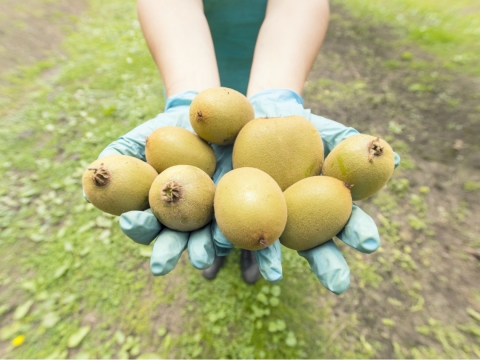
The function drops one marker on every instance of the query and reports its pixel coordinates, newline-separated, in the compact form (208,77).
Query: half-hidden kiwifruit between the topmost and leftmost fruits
(172,145)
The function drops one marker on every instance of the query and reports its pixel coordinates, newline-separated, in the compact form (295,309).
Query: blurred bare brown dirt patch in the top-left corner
(32,30)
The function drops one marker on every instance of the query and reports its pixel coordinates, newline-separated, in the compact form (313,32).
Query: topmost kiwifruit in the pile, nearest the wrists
(218,114)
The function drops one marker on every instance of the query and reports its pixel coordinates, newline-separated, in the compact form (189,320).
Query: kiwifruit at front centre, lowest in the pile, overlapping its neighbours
(250,208)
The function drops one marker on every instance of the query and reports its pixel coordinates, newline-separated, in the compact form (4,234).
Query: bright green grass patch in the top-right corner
(447,29)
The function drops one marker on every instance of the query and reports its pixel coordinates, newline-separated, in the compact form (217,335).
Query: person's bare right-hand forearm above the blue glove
(288,43)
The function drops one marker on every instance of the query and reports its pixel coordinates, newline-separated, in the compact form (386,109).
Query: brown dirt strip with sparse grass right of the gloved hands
(428,221)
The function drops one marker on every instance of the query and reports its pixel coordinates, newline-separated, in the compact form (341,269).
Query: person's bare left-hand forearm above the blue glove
(179,40)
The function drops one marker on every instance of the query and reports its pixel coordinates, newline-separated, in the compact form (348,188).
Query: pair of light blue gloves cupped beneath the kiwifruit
(325,260)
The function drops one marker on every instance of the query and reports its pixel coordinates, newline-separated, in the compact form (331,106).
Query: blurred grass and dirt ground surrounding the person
(76,75)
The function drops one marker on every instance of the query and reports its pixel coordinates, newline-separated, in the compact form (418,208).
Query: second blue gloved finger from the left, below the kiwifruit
(167,249)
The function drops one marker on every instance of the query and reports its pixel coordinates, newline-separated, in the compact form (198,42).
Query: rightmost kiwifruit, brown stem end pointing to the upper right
(363,161)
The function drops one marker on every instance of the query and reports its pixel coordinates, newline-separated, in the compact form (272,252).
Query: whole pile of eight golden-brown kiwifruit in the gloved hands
(281,187)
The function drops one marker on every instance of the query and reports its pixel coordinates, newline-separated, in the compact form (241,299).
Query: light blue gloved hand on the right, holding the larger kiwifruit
(360,232)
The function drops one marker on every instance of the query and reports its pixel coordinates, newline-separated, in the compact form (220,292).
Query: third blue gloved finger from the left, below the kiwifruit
(200,248)
